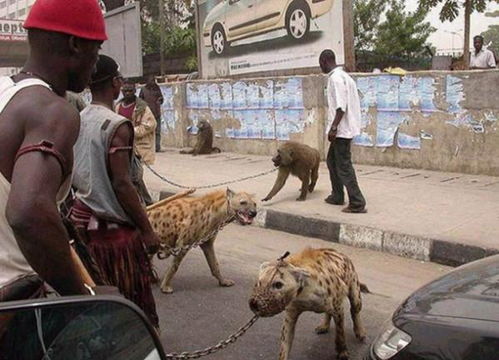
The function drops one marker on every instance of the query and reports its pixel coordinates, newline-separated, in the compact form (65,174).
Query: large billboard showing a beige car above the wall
(248,36)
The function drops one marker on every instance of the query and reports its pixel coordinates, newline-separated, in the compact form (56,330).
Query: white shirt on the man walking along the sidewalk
(342,94)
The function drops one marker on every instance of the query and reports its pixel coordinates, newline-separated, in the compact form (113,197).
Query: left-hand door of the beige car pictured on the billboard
(241,17)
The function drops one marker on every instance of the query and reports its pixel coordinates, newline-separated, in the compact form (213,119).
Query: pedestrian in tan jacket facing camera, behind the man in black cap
(144,123)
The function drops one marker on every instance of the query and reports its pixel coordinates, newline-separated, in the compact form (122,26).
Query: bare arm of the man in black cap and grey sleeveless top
(119,166)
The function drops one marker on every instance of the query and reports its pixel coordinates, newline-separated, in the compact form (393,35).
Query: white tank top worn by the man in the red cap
(13,264)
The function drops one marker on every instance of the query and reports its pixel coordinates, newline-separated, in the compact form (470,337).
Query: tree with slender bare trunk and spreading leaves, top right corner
(450,11)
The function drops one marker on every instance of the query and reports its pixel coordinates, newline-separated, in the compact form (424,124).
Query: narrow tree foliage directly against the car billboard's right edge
(367,14)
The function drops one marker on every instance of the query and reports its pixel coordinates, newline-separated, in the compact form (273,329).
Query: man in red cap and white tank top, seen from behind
(38,129)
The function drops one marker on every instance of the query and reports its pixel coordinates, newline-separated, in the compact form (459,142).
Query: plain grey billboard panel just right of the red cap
(124,42)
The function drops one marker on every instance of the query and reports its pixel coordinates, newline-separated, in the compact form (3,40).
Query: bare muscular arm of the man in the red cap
(31,209)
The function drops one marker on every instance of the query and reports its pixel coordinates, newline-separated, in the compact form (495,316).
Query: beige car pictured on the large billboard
(233,20)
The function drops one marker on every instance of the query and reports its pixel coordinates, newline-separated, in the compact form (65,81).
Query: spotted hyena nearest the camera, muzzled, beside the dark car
(315,280)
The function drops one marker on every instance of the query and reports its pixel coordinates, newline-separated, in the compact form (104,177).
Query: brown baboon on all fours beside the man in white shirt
(301,161)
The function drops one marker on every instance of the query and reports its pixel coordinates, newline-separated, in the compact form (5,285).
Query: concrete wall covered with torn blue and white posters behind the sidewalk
(433,120)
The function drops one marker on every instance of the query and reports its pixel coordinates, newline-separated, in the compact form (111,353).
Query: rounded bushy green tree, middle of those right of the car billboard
(403,33)
